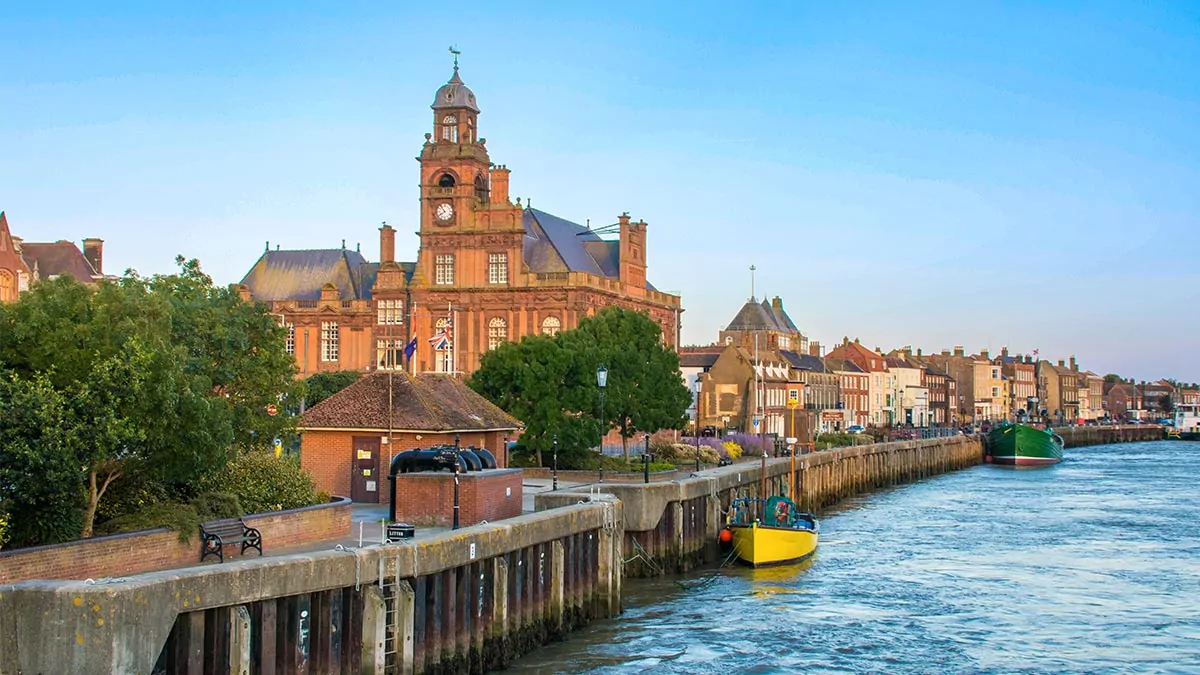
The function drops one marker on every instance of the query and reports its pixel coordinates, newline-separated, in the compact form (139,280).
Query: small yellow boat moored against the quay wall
(770,531)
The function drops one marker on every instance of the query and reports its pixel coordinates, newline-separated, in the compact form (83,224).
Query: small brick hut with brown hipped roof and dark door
(350,440)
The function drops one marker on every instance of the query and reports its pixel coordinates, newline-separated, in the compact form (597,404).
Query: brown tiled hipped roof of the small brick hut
(424,403)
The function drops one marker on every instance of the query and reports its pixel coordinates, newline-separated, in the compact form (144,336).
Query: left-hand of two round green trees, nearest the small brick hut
(537,383)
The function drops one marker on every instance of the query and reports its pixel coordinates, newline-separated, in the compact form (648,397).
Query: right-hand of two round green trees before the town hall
(645,392)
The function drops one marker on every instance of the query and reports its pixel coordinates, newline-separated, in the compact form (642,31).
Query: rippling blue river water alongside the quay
(1090,566)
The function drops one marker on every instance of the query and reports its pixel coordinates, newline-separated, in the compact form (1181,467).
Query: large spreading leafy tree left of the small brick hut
(163,378)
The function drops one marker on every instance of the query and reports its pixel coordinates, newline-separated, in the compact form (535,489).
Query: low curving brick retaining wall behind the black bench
(151,551)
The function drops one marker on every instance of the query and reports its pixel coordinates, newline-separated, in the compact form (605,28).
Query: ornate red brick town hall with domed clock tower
(495,270)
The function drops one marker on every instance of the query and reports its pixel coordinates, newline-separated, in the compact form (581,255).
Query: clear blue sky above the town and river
(928,175)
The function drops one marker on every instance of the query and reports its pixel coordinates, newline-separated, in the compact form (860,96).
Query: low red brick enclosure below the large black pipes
(428,498)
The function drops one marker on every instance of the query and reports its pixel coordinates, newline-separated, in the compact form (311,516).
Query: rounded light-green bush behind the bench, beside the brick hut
(263,482)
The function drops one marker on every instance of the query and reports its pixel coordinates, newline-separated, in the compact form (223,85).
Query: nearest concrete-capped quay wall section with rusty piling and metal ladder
(466,601)
